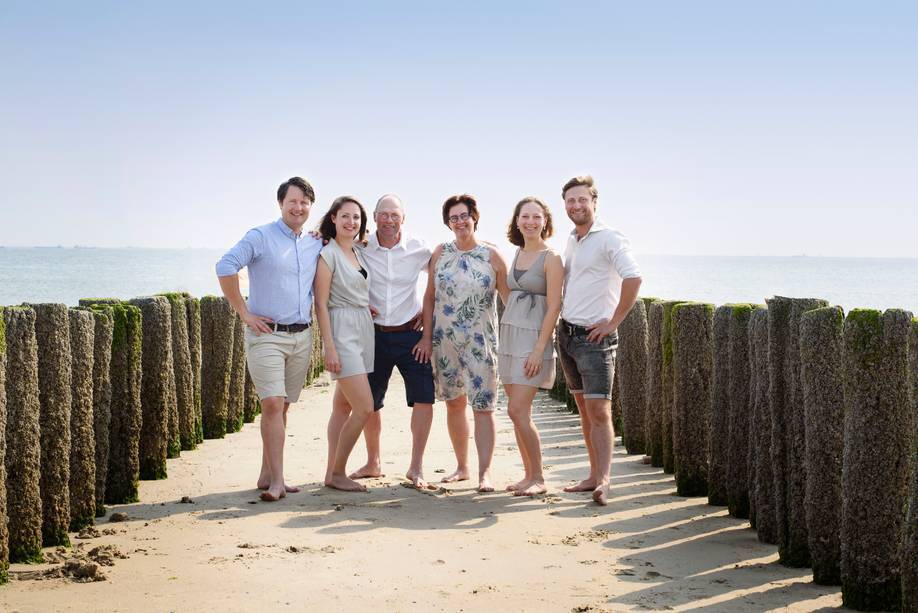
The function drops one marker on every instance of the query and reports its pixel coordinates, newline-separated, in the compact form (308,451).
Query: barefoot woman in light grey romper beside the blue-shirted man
(342,294)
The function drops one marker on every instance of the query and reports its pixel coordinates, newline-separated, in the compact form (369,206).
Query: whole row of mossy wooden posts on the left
(95,398)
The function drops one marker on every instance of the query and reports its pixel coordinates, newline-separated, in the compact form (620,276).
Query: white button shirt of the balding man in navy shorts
(394,276)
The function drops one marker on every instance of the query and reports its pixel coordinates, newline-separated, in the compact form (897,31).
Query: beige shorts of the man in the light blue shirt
(278,362)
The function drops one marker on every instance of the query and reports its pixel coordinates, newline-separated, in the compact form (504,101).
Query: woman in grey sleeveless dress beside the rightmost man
(525,355)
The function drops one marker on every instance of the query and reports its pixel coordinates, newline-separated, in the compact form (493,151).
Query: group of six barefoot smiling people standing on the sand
(446,345)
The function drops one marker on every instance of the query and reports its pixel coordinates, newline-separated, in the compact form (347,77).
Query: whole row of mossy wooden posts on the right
(793,416)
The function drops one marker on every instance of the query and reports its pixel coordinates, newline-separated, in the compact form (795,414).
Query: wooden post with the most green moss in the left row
(126,412)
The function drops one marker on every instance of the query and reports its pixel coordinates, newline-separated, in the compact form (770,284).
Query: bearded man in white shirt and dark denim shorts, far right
(601,282)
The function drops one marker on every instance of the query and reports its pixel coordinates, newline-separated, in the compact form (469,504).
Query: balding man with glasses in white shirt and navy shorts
(395,261)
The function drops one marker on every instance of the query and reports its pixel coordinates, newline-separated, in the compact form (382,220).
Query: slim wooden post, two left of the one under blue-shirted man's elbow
(182,373)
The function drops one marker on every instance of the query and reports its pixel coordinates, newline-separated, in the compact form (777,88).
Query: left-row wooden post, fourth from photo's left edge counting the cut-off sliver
(82,433)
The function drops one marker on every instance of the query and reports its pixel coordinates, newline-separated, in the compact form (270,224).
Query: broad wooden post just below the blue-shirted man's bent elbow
(217,325)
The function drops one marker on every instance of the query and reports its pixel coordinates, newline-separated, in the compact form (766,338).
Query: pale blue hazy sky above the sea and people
(716,128)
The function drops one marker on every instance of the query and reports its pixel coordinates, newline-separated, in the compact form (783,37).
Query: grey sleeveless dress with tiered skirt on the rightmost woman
(521,323)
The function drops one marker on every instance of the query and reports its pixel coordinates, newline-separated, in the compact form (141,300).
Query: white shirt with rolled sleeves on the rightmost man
(594,267)
